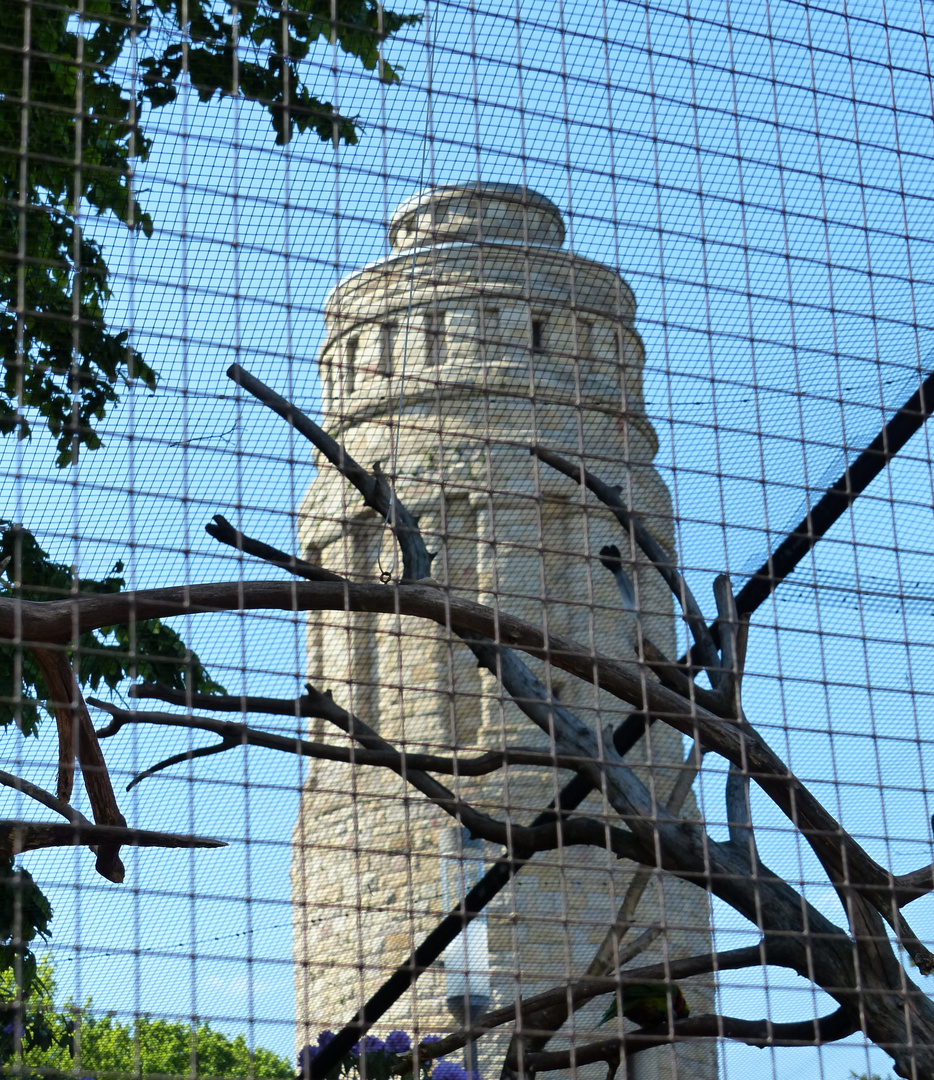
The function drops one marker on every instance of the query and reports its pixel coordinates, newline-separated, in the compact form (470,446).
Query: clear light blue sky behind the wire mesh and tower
(761,177)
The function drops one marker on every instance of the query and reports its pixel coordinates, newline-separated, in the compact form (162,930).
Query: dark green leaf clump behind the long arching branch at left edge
(150,650)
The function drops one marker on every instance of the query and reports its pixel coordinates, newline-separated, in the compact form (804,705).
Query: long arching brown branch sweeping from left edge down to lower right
(60,619)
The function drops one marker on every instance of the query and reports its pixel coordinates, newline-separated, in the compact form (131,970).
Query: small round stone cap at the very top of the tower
(465,213)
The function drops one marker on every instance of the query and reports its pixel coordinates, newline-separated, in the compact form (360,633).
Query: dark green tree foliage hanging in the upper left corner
(70,134)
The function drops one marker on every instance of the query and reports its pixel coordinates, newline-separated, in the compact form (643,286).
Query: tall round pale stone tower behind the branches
(477,337)
